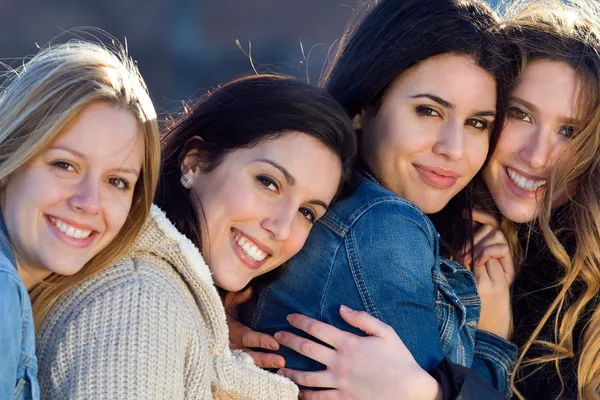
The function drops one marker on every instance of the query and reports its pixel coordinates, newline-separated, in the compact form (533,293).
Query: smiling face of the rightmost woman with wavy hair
(539,124)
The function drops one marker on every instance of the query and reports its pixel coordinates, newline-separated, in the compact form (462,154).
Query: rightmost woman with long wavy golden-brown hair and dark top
(546,168)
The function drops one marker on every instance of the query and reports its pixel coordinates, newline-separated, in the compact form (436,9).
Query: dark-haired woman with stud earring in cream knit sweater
(246,174)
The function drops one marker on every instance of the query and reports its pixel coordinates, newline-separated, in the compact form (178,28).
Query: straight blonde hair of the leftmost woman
(41,98)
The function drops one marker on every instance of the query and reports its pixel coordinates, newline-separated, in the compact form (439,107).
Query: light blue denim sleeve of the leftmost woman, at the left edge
(10,333)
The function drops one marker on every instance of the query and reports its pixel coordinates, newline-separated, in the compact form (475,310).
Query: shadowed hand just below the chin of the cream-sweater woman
(241,337)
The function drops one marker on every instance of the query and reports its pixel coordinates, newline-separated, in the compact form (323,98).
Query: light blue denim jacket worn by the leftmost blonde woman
(18,363)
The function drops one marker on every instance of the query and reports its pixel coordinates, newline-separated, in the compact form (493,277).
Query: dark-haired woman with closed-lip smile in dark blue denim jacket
(427,86)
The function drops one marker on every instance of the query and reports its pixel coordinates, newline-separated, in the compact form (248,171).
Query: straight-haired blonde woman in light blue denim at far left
(79,161)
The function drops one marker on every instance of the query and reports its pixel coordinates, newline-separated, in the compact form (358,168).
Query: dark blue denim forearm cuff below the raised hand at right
(494,360)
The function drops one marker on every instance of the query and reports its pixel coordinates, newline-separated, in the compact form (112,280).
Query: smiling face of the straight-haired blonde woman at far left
(70,202)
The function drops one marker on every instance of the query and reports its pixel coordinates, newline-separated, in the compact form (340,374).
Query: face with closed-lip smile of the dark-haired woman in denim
(431,134)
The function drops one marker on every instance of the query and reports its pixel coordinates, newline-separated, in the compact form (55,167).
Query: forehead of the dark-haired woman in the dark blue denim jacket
(455,78)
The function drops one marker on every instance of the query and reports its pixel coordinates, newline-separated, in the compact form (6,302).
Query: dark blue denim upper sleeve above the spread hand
(390,253)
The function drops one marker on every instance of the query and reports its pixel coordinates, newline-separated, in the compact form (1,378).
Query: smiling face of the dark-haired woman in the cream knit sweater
(260,203)
